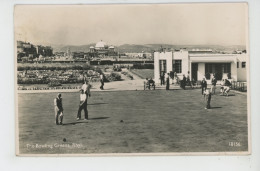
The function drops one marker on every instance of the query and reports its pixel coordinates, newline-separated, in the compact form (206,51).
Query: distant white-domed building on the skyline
(101,49)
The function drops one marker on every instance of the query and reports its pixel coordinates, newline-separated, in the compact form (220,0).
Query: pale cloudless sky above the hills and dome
(177,24)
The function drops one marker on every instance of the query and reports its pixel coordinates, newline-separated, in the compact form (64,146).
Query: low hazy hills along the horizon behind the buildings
(137,48)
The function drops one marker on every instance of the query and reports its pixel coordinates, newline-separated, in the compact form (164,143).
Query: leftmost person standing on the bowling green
(58,109)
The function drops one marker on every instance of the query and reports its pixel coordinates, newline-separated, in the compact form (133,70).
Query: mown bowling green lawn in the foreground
(149,121)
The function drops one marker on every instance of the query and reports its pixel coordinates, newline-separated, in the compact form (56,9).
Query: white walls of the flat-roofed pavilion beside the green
(237,74)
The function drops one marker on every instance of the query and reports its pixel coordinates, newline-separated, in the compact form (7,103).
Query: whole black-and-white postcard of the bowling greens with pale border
(132,79)
